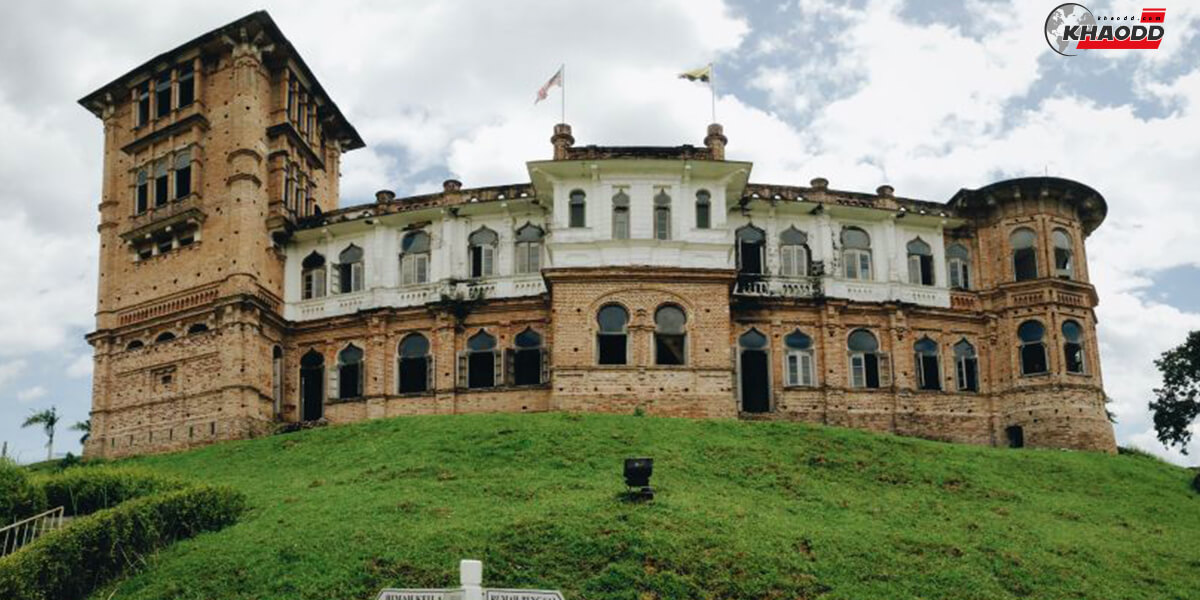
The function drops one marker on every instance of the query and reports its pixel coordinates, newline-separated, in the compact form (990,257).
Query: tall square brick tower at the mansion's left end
(214,153)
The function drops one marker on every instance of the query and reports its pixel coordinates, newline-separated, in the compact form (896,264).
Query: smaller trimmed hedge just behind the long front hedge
(86,490)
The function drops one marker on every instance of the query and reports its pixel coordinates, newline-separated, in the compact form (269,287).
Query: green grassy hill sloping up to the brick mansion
(745,511)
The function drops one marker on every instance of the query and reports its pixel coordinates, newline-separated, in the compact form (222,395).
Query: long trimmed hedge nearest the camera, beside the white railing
(70,563)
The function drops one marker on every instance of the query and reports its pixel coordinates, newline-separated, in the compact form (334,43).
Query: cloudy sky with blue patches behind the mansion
(926,97)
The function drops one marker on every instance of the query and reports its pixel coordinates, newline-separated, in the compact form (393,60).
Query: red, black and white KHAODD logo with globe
(1072,27)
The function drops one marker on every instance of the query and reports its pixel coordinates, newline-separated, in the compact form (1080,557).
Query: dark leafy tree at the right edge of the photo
(1179,400)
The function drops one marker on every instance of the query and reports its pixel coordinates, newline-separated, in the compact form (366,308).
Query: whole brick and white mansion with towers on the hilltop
(236,295)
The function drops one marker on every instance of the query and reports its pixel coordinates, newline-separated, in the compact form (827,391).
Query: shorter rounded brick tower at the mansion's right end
(1035,290)
